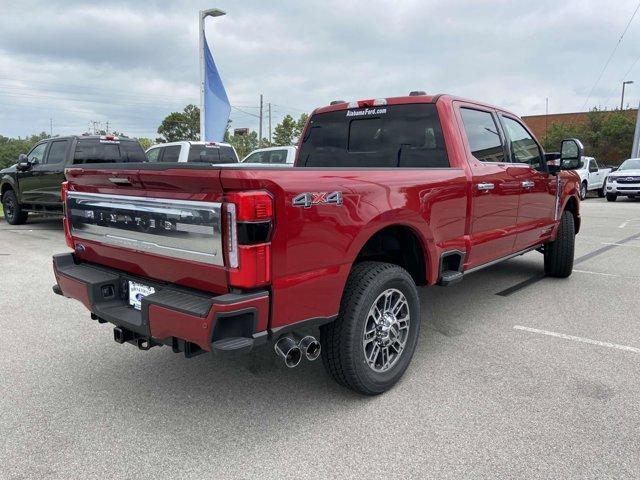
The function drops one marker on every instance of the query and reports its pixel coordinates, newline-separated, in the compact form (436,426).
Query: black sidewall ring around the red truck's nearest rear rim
(382,381)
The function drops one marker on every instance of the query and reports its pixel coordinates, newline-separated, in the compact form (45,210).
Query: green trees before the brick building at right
(607,135)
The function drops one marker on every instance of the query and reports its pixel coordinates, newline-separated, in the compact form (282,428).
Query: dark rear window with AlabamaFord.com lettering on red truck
(405,136)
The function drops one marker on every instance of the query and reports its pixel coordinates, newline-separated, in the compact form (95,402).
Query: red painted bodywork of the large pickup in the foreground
(312,249)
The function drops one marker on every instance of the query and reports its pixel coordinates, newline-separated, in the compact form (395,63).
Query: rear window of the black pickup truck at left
(92,150)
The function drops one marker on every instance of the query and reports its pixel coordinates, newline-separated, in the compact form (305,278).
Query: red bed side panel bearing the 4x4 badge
(314,248)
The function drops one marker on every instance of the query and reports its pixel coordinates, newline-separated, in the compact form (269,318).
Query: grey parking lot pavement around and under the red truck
(515,376)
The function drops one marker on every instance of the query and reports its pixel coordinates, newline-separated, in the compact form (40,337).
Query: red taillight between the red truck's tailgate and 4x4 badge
(249,221)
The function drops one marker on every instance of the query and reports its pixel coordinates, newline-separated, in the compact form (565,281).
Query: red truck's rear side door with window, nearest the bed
(495,192)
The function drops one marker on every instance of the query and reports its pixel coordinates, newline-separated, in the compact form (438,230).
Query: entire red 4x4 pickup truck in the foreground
(386,195)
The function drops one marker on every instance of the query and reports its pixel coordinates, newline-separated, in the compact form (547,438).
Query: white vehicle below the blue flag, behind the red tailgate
(187,151)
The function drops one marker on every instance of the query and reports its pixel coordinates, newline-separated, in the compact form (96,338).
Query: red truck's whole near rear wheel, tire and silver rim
(370,345)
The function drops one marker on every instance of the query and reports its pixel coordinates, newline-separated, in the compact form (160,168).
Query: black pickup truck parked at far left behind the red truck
(33,184)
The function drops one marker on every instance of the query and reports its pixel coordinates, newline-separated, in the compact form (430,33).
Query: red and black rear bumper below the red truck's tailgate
(189,320)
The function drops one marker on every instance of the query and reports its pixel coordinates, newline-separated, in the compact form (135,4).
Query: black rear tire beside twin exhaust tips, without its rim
(343,351)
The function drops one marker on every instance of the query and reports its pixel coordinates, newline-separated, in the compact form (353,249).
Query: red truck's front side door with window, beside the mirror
(538,188)
